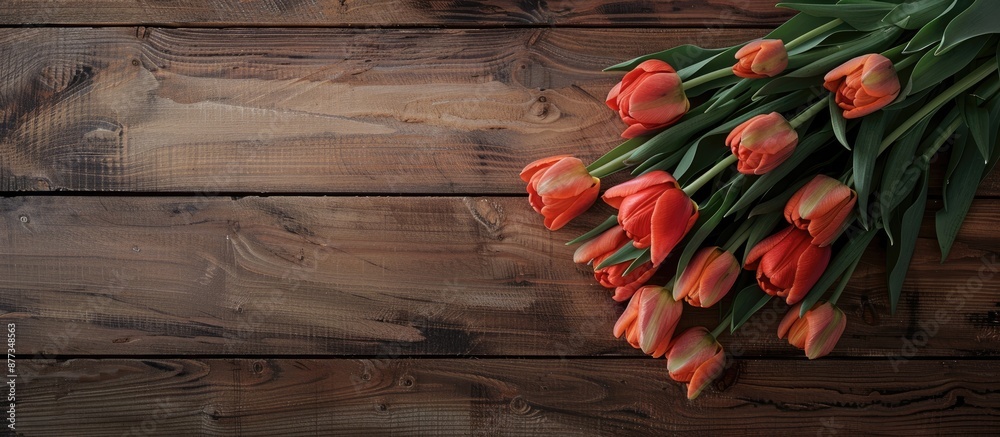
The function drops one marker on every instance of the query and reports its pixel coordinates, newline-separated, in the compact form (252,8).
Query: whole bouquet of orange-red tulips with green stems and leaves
(769,168)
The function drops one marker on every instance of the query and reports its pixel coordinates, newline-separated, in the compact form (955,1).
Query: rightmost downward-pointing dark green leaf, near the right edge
(961,190)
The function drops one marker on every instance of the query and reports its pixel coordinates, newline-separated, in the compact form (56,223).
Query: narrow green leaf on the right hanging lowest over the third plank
(898,256)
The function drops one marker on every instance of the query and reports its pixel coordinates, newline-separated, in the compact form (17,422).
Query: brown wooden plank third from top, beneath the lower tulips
(398,277)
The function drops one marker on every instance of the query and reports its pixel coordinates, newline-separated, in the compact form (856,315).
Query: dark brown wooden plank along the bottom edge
(501,397)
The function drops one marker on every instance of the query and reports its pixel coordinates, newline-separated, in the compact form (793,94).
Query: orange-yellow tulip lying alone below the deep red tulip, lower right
(816,332)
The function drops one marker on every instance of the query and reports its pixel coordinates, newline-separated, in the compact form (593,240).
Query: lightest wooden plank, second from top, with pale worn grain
(307,110)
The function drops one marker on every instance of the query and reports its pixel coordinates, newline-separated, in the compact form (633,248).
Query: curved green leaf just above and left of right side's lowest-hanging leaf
(900,174)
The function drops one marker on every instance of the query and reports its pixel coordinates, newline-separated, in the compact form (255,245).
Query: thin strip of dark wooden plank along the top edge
(714,14)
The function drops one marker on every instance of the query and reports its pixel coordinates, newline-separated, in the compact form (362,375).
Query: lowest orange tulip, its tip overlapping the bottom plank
(696,358)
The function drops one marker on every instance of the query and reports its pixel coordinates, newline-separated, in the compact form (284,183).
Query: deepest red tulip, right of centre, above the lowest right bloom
(787,264)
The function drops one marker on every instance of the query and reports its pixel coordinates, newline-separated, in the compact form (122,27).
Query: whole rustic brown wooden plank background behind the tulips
(257,217)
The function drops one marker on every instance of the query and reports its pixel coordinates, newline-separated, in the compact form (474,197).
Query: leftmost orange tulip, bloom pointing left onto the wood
(560,188)
